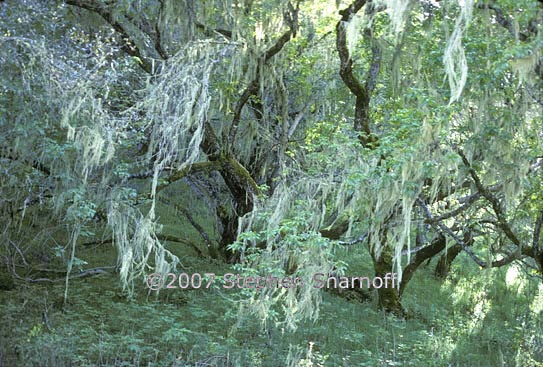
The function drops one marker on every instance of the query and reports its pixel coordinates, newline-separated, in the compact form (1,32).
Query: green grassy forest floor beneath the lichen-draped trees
(466,320)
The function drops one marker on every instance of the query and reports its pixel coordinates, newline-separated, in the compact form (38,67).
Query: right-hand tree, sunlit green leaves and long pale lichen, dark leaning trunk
(415,133)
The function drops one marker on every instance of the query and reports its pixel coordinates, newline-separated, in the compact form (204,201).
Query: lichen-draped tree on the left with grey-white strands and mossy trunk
(172,129)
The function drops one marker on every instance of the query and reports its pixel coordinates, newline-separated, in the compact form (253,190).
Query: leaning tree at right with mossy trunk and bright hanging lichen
(422,180)
